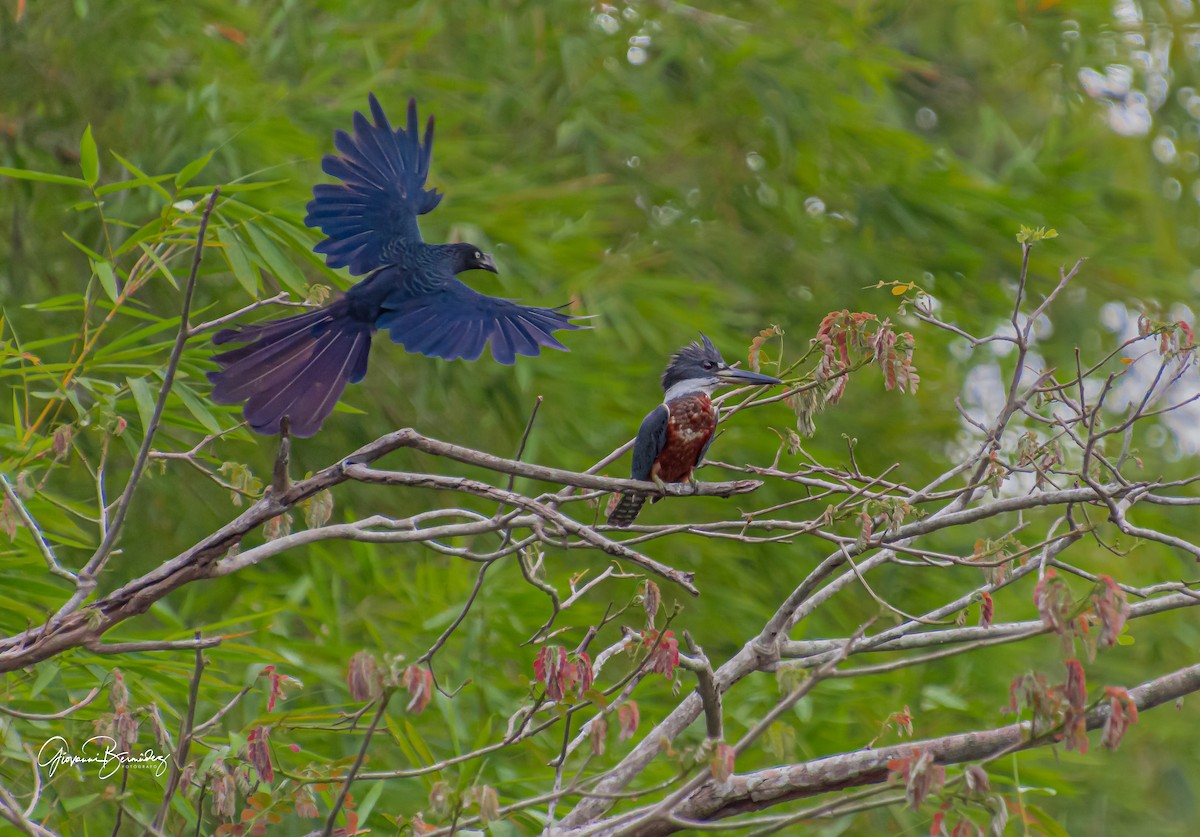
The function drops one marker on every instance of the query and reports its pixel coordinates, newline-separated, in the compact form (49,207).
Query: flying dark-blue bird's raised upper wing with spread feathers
(382,192)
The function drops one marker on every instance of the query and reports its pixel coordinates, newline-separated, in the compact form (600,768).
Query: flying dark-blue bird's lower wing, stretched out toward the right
(457,322)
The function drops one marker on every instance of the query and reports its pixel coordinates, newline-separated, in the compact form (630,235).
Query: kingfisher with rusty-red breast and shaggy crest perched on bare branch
(676,435)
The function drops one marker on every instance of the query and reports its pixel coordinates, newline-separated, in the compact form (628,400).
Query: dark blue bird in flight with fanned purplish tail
(298,366)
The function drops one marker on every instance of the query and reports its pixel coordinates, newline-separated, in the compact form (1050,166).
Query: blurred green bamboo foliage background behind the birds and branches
(665,168)
